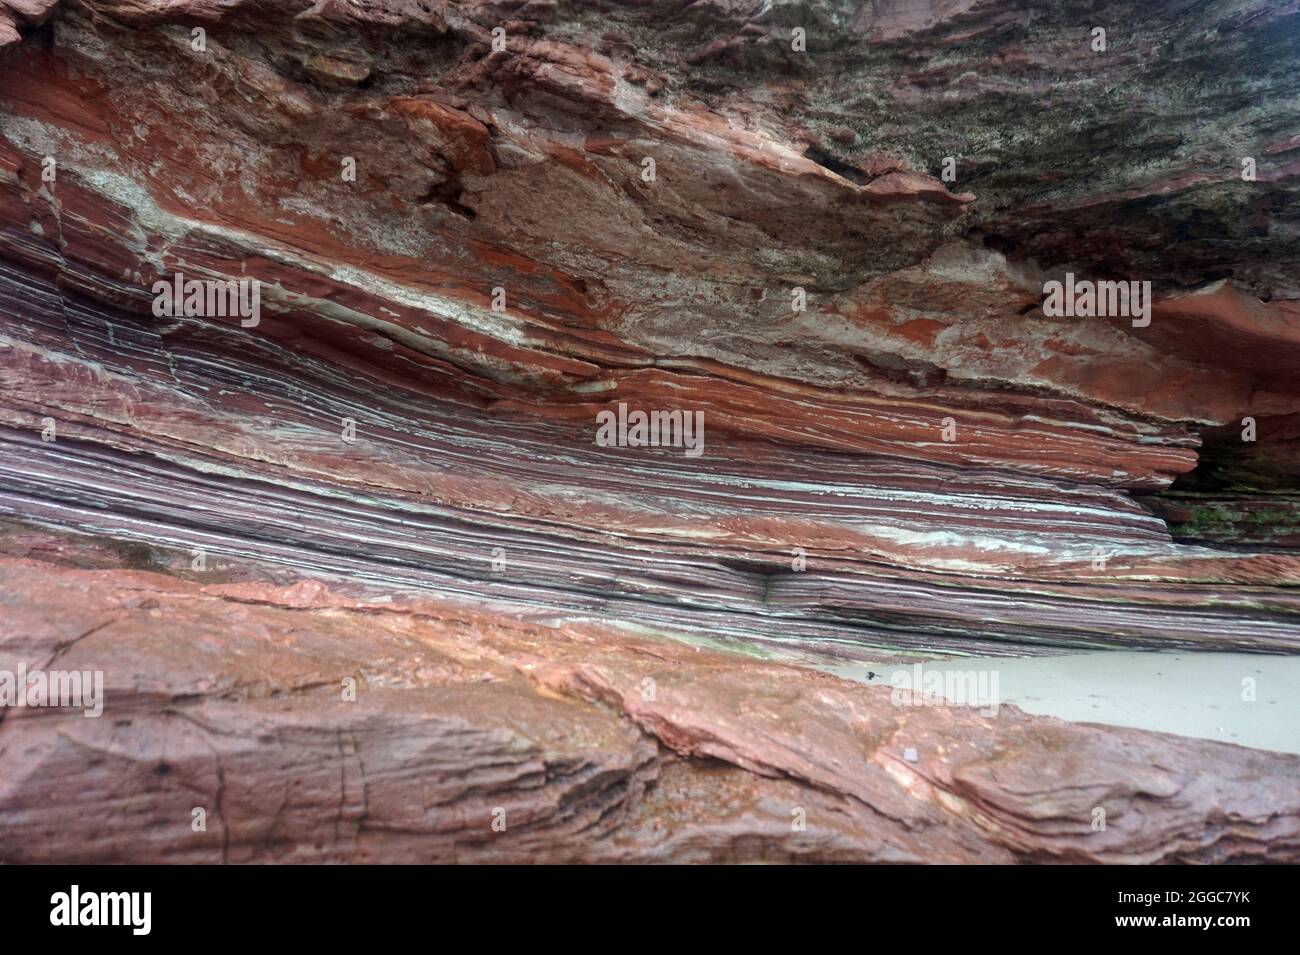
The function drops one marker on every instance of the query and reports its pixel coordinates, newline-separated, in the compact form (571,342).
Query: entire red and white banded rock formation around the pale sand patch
(363,575)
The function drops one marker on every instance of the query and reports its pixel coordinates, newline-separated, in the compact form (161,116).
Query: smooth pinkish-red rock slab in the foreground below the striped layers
(596,744)
